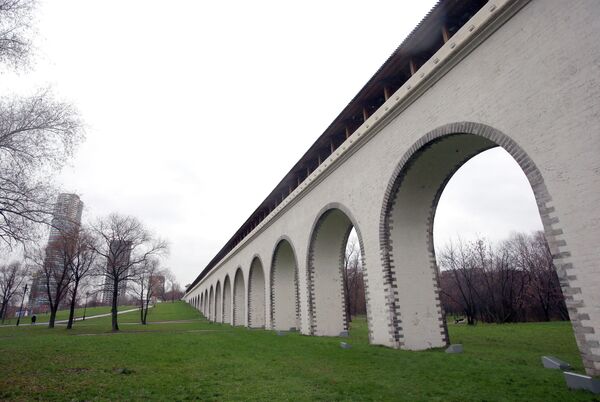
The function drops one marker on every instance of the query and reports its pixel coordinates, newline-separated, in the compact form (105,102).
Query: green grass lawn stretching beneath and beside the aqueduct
(198,360)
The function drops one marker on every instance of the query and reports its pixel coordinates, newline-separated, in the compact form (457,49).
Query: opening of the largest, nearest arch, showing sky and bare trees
(500,251)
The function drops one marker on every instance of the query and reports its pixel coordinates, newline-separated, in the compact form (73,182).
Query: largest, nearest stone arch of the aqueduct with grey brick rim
(406,226)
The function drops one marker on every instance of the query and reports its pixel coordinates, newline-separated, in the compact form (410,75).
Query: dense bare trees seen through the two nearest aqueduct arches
(512,281)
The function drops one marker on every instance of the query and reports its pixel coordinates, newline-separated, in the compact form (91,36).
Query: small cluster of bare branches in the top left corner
(15,31)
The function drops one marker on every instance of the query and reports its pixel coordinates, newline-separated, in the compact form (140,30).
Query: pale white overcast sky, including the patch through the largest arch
(186,128)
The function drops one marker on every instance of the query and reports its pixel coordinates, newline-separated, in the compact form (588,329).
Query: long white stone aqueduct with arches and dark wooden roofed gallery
(473,75)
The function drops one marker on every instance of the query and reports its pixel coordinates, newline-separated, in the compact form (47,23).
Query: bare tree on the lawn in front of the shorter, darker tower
(125,245)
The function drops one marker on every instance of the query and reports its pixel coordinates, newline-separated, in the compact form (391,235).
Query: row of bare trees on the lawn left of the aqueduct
(114,255)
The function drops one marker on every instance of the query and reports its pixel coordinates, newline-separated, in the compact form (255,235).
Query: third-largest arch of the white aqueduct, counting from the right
(285,310)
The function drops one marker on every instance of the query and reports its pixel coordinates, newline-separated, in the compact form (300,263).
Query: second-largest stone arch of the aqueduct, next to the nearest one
(327,306)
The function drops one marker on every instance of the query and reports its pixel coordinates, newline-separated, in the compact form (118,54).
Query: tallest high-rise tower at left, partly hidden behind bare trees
(66,215)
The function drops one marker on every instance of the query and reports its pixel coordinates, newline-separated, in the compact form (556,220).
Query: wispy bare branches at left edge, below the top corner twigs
(37,135)
